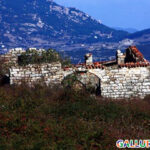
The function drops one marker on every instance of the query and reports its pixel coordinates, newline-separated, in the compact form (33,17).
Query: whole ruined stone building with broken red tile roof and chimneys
(126,76)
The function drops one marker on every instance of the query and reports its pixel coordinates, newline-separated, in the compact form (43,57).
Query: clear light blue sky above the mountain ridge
(115,13)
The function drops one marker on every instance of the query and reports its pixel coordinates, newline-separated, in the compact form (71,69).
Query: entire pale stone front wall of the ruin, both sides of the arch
(114,83)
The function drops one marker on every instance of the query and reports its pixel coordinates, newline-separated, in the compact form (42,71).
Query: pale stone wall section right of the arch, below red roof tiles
(124,82)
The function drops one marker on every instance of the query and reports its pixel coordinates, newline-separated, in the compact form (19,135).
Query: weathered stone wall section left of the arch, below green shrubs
(48,74)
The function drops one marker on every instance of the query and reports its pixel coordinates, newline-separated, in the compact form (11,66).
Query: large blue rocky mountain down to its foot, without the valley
(38,23)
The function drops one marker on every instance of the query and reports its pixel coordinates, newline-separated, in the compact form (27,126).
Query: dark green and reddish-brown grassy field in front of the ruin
(63,119)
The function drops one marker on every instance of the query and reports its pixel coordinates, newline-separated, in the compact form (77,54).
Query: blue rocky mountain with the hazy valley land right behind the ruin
(45,24)
